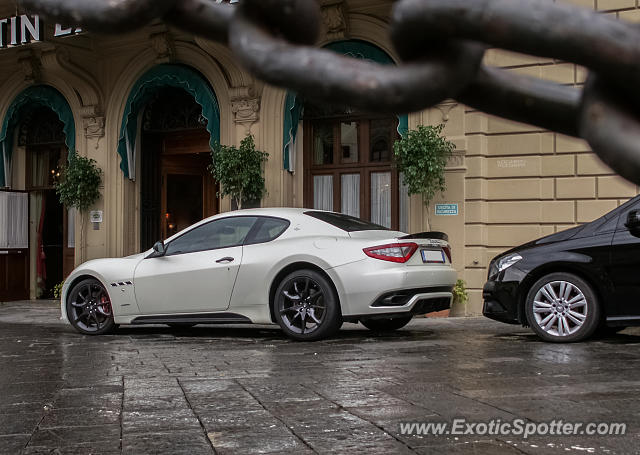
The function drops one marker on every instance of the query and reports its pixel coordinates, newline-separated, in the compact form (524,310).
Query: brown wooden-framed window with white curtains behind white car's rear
(349,165)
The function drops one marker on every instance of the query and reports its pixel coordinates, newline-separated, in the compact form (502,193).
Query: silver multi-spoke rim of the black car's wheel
(560,308)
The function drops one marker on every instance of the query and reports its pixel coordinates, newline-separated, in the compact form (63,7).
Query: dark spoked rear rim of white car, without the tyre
(302,307)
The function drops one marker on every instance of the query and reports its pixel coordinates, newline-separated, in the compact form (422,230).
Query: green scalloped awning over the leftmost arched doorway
(28,100)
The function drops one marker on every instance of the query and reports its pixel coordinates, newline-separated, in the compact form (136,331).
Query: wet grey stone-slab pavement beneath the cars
(247,389)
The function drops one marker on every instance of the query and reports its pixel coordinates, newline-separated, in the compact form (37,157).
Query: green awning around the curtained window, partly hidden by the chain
(293,107)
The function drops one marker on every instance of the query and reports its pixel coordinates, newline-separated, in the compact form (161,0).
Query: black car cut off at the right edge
(568,285)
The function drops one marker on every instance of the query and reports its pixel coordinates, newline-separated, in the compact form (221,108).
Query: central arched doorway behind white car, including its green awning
(170,123)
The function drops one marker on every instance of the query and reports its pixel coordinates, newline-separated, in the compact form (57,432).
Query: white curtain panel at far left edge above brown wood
(14,220)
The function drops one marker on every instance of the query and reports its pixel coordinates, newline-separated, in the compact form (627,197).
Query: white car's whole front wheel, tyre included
(89,308)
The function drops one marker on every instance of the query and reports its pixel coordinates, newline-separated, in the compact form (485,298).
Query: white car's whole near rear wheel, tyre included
(306,306)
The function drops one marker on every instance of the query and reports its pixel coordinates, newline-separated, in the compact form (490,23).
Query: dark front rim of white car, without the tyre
(91,307)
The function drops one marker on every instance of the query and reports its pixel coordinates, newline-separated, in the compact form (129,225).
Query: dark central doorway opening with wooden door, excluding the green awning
(176,189)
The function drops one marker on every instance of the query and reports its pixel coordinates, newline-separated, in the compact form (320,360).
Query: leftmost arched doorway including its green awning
(36,232)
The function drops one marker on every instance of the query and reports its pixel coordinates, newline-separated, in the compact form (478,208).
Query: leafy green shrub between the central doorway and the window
(239,171)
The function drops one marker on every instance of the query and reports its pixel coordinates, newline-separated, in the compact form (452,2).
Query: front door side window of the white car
(222,233)
